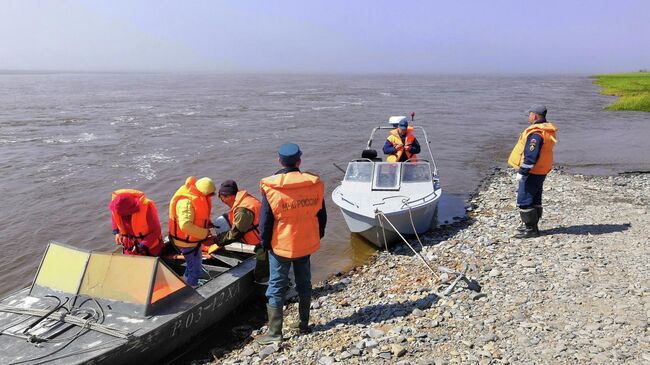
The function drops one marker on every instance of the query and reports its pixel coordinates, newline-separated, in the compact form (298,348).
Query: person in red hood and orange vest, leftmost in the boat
(135,223)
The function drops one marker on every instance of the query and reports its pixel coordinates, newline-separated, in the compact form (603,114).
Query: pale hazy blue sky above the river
(330,36)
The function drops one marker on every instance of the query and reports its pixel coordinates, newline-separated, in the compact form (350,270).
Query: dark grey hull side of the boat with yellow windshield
(154,337)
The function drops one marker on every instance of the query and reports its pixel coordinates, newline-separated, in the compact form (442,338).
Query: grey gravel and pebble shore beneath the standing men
(579,294)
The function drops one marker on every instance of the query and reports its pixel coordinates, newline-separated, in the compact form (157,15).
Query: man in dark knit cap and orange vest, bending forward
(244,220)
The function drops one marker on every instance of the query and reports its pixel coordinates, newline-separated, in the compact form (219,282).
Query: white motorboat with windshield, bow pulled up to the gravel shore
(379,199)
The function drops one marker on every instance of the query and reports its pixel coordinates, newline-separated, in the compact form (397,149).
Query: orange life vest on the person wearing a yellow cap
(201,204)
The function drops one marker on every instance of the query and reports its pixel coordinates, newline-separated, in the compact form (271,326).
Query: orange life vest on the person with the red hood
(139,224)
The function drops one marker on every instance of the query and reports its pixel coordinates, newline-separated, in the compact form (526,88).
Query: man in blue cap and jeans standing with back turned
(292,222)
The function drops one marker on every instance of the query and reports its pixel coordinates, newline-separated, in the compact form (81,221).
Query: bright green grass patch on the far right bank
(633,90)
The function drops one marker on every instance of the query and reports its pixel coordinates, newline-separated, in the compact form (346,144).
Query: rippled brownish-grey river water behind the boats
(68,140)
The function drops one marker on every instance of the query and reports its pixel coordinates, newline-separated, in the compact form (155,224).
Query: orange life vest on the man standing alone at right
(544,163)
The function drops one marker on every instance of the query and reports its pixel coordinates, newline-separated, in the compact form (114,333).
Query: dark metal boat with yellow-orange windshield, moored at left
(106,308)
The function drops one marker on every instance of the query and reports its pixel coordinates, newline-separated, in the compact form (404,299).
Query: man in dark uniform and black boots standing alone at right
(532,157)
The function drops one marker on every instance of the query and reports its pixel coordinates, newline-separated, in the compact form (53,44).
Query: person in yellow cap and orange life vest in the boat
(189,223)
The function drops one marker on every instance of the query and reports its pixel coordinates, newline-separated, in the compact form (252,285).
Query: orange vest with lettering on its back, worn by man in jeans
(295,198)
